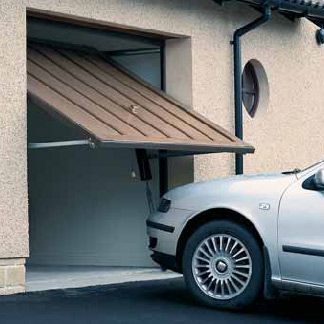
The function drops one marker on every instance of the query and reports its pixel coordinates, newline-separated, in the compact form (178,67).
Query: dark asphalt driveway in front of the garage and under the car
(155,302)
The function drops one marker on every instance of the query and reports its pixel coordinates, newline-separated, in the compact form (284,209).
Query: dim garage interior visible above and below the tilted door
(87,207)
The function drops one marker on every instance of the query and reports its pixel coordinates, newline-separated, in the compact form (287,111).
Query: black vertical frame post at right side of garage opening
(163,161)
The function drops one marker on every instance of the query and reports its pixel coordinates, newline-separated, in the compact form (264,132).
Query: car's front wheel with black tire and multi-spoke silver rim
(215,274)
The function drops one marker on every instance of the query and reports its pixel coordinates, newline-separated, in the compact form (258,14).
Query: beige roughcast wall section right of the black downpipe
(290,132)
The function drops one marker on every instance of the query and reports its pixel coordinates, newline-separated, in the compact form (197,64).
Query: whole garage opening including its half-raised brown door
(87,116)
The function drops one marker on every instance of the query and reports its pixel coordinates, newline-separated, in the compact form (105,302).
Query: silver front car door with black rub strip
(301,232)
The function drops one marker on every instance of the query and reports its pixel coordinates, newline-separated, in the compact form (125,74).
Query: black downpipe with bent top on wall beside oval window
(238,79)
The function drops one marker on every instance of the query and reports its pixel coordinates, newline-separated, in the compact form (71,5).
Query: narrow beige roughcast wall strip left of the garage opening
(13,166)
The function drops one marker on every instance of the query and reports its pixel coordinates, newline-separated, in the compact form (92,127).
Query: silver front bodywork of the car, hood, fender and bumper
(241,194)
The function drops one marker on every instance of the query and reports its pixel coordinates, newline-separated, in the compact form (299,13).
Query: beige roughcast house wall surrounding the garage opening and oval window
(288,134)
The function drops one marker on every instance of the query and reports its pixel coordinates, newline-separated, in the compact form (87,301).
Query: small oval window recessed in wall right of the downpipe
(254,87)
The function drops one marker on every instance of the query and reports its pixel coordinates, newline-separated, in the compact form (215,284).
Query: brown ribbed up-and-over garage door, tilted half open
(115,107)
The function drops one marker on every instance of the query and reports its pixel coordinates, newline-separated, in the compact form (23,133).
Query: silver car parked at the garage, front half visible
(237,238)
